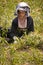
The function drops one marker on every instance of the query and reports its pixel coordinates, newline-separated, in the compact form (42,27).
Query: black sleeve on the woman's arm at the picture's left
(13,30)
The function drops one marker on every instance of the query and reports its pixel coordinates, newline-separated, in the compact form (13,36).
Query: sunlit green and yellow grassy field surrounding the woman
(27,50)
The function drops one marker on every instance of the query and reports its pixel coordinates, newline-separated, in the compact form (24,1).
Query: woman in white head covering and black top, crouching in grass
(23,21)
